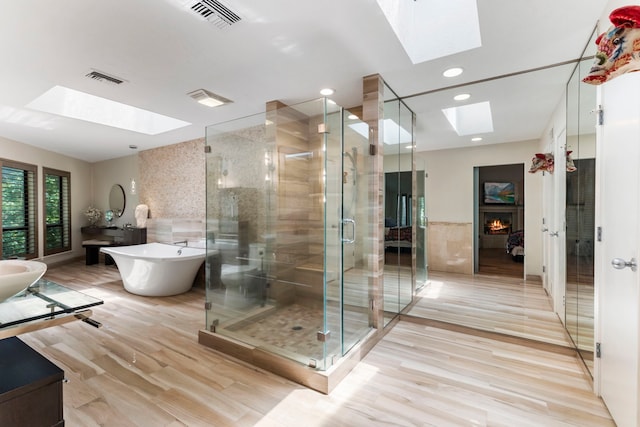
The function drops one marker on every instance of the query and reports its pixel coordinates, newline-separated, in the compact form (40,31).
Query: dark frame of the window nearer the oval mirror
(64,214)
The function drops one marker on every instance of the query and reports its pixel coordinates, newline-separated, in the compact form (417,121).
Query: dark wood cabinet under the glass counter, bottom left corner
(31,387)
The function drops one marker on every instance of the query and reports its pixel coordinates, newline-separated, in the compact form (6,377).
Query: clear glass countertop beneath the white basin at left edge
(43,300)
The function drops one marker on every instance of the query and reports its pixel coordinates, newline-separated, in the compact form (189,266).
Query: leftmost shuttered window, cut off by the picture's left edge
(19,210)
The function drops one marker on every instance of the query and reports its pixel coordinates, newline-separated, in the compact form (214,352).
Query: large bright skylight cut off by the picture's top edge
(432,29)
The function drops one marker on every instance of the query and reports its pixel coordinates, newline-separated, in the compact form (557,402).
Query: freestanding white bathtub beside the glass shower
(157,269)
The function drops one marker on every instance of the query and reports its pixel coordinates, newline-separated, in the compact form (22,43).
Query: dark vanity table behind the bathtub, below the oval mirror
(109,236)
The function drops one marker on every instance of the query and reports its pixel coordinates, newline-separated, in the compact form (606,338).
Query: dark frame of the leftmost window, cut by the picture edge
(31,212)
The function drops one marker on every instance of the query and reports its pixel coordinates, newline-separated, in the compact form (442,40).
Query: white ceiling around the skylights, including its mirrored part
(280,50)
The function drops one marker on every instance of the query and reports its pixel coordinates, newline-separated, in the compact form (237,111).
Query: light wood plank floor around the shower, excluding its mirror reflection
(144,367)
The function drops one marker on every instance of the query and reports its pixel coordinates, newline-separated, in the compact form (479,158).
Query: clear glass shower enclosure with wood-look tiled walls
(288,232)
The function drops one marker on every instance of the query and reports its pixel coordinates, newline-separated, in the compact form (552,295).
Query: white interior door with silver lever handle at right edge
(617,295)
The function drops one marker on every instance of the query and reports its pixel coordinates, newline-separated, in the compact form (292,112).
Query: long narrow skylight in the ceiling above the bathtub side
(83,106)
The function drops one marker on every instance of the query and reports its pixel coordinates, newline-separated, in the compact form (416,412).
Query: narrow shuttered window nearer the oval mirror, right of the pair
(57,201)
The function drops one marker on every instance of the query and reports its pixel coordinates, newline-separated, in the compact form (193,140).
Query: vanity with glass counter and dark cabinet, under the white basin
(31,387)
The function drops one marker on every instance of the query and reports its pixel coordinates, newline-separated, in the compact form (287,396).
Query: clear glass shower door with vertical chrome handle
(346,225)
